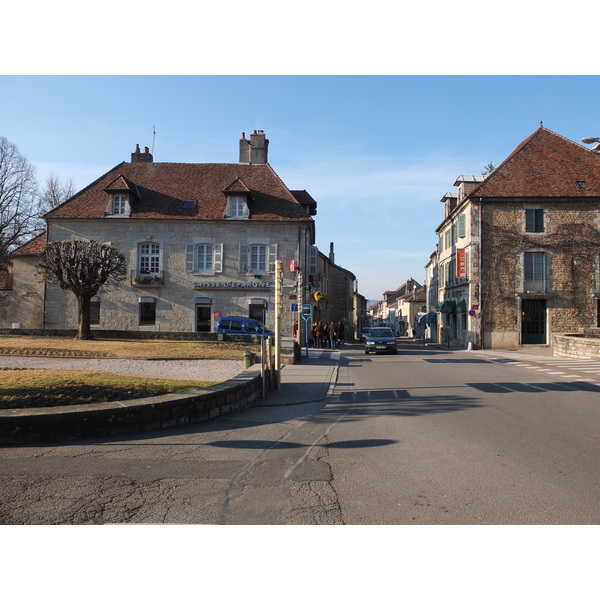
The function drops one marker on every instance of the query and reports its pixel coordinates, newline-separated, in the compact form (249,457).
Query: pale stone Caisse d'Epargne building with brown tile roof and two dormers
(201,241)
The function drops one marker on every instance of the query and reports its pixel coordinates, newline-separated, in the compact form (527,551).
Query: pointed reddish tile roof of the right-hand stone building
(544,165)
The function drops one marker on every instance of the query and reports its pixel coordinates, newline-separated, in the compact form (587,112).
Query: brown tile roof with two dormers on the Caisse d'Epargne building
(163,188)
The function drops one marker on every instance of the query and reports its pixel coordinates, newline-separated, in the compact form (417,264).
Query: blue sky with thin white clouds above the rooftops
(376,152)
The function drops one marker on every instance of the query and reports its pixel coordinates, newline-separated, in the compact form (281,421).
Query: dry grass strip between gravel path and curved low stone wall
(25,388)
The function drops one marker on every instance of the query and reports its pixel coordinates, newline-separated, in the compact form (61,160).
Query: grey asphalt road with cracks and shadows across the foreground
(424,437)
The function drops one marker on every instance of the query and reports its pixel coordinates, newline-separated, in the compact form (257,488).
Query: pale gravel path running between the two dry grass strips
(200,370)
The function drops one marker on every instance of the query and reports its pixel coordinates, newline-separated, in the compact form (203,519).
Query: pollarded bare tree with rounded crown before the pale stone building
(82,267)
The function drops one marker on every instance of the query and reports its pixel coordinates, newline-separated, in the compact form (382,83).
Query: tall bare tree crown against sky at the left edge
(18,197)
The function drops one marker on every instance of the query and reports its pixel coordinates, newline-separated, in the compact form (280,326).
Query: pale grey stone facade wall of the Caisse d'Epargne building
(176,296)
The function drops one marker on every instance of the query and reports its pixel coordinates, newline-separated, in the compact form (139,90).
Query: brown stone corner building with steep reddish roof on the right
(518,250)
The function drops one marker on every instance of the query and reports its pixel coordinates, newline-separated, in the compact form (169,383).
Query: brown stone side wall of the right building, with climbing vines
(571,242)
